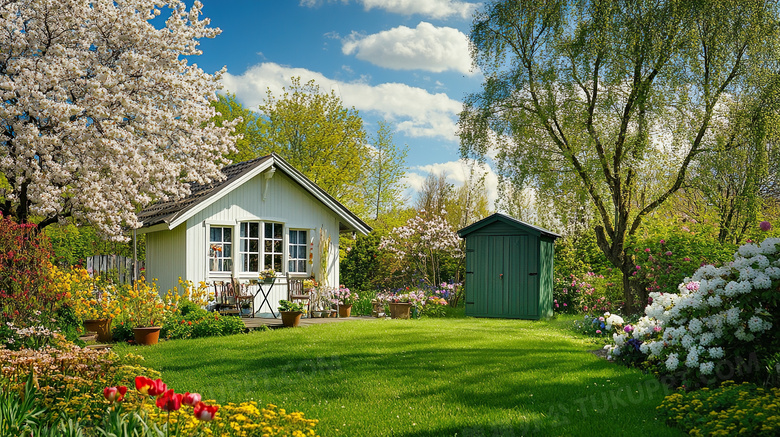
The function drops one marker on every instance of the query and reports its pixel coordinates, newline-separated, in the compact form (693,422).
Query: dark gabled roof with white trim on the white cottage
(173,213)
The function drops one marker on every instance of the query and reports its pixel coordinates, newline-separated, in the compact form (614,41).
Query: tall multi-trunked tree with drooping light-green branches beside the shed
(599,92)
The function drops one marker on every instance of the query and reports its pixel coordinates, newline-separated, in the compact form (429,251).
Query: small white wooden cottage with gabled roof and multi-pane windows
(264,215)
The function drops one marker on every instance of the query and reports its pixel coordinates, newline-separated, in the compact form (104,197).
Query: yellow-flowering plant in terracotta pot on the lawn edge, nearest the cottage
(147,310)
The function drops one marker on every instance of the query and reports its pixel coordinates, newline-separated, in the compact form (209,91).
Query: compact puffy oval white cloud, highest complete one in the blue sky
(425,47)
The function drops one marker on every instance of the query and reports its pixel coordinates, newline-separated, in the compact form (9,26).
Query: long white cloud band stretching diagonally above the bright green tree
(414,111)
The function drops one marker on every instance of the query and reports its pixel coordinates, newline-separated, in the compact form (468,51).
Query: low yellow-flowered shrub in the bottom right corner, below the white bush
(727,410)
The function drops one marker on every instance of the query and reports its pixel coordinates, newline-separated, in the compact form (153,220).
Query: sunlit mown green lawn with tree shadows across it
(434,377)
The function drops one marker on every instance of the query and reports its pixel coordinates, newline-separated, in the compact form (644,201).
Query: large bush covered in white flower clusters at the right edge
(720,316)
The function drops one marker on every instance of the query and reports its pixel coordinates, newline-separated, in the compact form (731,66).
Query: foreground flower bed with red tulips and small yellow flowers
(59,387)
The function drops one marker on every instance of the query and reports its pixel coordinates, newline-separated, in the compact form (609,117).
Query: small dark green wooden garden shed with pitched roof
(509,269)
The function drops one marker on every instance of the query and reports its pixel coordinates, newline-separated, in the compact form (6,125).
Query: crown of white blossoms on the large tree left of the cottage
(101,112)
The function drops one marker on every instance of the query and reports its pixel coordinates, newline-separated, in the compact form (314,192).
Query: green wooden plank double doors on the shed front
(502,286)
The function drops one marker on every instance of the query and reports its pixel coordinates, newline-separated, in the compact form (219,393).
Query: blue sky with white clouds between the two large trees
(403,61)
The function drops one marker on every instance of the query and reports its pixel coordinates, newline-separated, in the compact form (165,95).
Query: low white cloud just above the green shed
(456,172)
